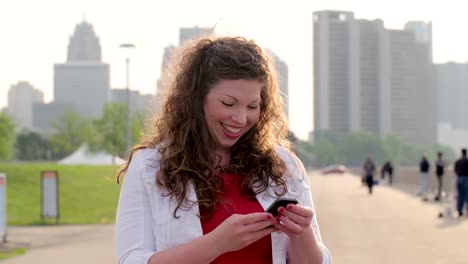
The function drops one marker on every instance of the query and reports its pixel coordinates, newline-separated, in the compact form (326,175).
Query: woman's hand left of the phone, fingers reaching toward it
(239,231)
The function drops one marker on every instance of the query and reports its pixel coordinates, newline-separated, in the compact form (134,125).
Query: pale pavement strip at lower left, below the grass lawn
(64,244)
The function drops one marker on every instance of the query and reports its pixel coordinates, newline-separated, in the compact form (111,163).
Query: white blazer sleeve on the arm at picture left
(134,240)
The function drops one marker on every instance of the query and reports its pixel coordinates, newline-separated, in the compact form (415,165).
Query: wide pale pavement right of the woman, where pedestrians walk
(386,227)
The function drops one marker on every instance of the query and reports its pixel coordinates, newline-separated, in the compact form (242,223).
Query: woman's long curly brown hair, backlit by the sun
(180,132)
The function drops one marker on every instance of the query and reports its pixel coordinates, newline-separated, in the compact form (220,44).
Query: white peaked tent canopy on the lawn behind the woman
(84,157)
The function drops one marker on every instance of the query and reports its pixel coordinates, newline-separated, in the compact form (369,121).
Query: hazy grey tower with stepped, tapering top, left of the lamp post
(83,80)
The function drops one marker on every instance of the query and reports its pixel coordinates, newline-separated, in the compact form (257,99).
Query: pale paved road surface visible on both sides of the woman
(386,227)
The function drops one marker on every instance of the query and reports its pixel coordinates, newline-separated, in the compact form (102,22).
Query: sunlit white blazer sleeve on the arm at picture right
(306,199)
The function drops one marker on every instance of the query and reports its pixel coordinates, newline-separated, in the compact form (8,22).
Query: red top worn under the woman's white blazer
(237,202)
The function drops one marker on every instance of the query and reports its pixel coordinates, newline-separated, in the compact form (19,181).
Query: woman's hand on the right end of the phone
(294,220)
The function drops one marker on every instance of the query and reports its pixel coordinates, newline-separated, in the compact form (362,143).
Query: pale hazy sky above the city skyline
(35,35)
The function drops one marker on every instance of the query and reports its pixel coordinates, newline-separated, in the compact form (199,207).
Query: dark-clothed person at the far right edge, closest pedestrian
(461,169)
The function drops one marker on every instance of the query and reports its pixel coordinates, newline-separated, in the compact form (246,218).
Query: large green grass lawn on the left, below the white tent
(87,194)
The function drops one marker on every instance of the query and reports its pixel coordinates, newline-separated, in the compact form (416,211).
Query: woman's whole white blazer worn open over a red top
(145,222)
